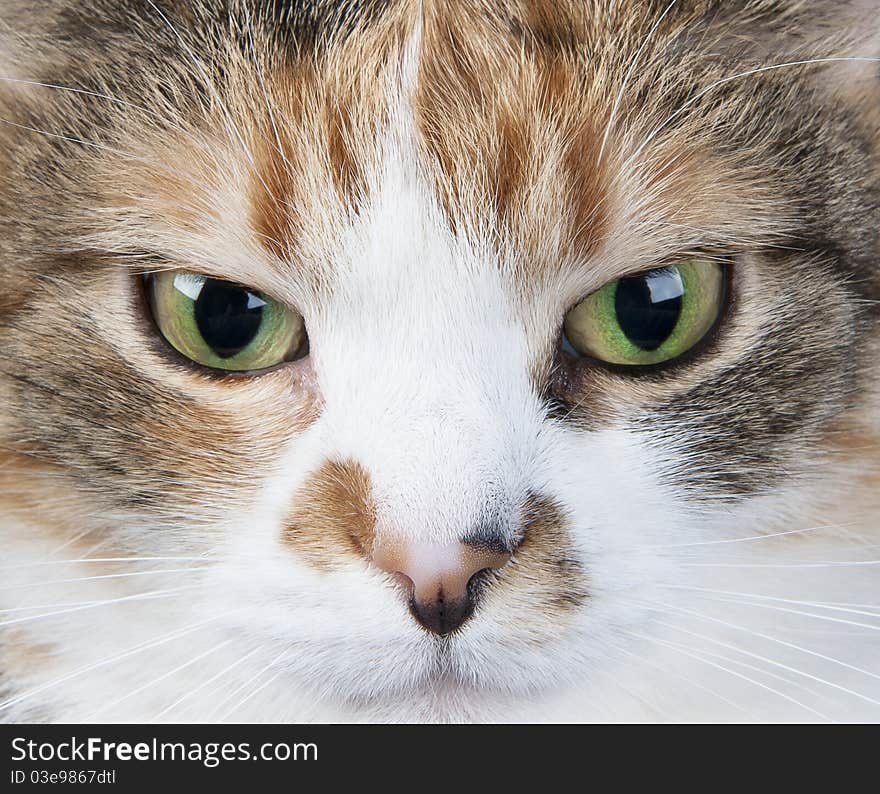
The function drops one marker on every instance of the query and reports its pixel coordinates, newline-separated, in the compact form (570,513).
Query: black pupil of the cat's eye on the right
(648,306)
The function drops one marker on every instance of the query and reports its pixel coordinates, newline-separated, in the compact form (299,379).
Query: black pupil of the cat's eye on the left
(227,316)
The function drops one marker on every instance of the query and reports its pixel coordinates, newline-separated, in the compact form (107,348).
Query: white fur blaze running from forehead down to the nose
(421,362)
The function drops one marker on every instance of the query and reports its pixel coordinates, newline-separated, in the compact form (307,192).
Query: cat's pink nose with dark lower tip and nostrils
(438,577)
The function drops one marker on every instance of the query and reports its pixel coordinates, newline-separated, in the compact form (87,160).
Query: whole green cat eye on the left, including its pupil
(223,325)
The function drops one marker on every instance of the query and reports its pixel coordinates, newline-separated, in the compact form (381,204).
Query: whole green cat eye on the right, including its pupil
(648,318)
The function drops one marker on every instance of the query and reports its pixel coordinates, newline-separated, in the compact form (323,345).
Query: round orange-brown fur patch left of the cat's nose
(333,517)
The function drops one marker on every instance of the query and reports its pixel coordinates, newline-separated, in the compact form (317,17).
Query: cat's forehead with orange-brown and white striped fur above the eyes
(518,146)
